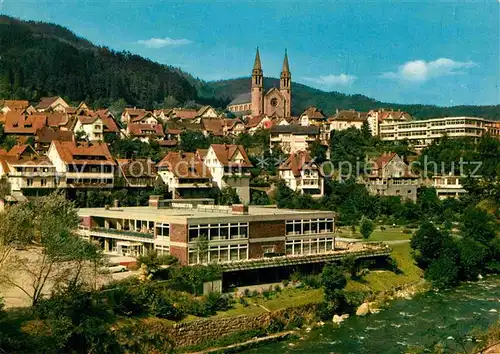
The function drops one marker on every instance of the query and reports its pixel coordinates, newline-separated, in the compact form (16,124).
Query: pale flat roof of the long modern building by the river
(204,214)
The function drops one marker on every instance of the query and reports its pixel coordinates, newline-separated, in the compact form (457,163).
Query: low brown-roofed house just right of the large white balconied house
(135,173)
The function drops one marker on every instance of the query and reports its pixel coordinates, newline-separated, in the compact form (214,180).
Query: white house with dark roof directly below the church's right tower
(293,138)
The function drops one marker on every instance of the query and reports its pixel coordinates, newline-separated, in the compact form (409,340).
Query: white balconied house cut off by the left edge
(28,173)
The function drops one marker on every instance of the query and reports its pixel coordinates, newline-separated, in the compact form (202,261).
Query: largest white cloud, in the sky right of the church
(421,70)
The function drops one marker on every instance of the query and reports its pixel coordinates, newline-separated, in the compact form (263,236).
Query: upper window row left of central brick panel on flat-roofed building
(216,232)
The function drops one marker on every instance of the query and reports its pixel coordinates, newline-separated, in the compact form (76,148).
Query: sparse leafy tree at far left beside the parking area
(57,255)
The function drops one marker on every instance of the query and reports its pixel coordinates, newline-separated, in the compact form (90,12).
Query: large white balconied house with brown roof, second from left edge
(84,165)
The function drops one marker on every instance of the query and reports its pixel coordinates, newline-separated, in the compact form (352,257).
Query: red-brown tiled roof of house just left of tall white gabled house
(184,165)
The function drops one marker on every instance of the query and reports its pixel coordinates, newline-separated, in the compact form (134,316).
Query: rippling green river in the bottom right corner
(445,317)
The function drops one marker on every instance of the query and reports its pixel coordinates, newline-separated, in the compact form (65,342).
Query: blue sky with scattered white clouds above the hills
(440,52)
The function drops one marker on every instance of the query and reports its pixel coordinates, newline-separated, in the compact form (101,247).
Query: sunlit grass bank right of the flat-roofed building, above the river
(384,280)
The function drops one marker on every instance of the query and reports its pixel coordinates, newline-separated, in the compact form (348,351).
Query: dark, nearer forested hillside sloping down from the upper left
(41,59)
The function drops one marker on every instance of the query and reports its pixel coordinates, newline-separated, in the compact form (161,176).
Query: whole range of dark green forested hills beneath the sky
(41,59)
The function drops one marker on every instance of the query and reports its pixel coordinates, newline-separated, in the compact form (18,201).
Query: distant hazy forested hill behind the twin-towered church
(304,96)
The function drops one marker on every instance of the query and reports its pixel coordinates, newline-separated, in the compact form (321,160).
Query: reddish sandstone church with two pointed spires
(273,103)
